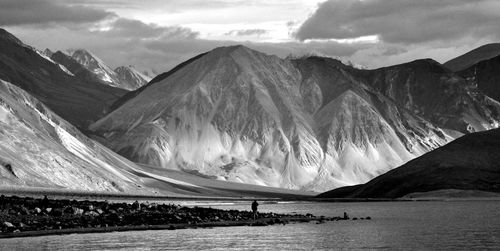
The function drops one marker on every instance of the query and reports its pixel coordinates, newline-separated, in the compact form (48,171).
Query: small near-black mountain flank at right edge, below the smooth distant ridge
(486,76)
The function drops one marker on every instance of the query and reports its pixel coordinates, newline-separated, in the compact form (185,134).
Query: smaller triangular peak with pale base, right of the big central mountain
(362,132)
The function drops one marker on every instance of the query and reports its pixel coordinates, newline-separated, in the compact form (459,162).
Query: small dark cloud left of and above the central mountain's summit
(129,28)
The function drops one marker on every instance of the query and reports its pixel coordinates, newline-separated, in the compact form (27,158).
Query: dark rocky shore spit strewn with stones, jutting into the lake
(36,216)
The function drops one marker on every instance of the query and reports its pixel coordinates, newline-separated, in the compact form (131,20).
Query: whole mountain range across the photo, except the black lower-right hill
(232,114)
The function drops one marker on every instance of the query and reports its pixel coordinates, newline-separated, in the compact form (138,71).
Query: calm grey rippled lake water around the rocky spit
(459,225)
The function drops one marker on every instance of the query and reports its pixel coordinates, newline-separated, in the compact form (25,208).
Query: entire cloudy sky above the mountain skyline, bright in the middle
(158,34)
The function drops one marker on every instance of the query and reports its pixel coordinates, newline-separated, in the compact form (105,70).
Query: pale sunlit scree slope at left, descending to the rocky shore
(43,150)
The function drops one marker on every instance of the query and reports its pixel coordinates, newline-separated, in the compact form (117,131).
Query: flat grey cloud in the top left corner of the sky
(44,12)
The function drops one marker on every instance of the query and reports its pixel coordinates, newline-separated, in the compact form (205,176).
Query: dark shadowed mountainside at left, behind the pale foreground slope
(77,100)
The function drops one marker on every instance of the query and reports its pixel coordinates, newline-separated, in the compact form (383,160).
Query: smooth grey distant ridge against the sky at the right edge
(473,57)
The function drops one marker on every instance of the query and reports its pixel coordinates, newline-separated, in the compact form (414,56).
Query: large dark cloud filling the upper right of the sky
(403,21)
